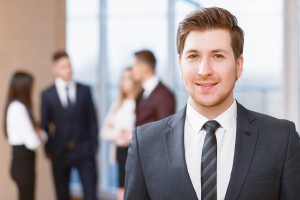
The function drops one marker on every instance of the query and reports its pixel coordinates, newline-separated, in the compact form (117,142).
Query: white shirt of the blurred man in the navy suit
(61,86)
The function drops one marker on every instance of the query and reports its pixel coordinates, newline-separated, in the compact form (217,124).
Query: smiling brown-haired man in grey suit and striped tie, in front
(214,148)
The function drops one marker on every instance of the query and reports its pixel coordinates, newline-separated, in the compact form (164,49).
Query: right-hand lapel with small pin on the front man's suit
(246,137)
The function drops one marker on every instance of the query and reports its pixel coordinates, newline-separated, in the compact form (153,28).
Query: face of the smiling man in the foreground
(209,69)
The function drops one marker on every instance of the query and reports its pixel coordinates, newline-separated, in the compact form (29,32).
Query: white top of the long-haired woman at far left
(20,129)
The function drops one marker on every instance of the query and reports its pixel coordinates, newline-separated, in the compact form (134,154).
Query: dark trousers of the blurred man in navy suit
(87,172)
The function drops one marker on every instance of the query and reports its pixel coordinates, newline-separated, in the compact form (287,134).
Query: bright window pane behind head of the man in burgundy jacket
(142,26)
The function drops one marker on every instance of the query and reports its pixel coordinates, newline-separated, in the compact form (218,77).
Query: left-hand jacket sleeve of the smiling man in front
(135,186)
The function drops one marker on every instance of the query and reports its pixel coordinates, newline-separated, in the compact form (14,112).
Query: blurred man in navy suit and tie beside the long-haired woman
(69,118)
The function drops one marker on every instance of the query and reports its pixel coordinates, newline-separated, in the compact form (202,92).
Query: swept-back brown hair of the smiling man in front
(211,18)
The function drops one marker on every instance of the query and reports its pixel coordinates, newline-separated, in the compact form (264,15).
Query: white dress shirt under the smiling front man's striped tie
(194,136)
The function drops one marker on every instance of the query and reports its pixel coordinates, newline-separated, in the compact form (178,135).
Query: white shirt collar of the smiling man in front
(227,119)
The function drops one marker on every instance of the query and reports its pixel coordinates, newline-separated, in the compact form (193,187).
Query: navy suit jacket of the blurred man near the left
(78,124)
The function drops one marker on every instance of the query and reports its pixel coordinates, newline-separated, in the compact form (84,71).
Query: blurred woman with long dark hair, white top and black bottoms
(23,133)
